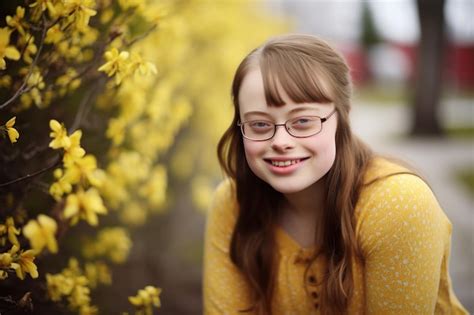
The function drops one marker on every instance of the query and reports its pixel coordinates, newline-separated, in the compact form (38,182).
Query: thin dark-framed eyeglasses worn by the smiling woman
(298,127)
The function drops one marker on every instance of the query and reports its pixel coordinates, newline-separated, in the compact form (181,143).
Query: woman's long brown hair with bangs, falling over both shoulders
(308,70)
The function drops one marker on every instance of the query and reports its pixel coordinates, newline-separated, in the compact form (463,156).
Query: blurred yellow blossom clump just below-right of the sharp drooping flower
(112,242)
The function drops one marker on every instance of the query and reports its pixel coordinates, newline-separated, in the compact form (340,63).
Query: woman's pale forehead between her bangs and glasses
(252,99)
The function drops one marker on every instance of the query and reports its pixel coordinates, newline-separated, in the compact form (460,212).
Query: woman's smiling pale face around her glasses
(286,163)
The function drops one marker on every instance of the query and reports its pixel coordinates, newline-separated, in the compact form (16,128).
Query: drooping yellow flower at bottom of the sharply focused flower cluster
(84,205)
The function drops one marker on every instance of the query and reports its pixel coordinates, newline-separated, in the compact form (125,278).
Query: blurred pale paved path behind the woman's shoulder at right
(437,160)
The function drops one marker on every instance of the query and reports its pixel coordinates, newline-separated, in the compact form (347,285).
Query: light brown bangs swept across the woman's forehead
(294,72)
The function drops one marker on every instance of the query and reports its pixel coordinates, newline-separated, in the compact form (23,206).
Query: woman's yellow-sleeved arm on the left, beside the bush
(224,288)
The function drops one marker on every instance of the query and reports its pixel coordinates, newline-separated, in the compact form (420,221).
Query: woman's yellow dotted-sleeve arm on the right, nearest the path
(403,235)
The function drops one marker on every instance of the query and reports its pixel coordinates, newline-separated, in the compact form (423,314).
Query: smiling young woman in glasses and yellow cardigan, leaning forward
(310,221)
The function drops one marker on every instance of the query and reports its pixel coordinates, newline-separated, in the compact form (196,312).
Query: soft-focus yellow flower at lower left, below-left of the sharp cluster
(41,233)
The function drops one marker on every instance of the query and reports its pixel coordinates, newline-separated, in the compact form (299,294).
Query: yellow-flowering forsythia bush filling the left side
(95,97)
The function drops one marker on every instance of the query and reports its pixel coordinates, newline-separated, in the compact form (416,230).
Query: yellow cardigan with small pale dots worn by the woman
(404,235)
